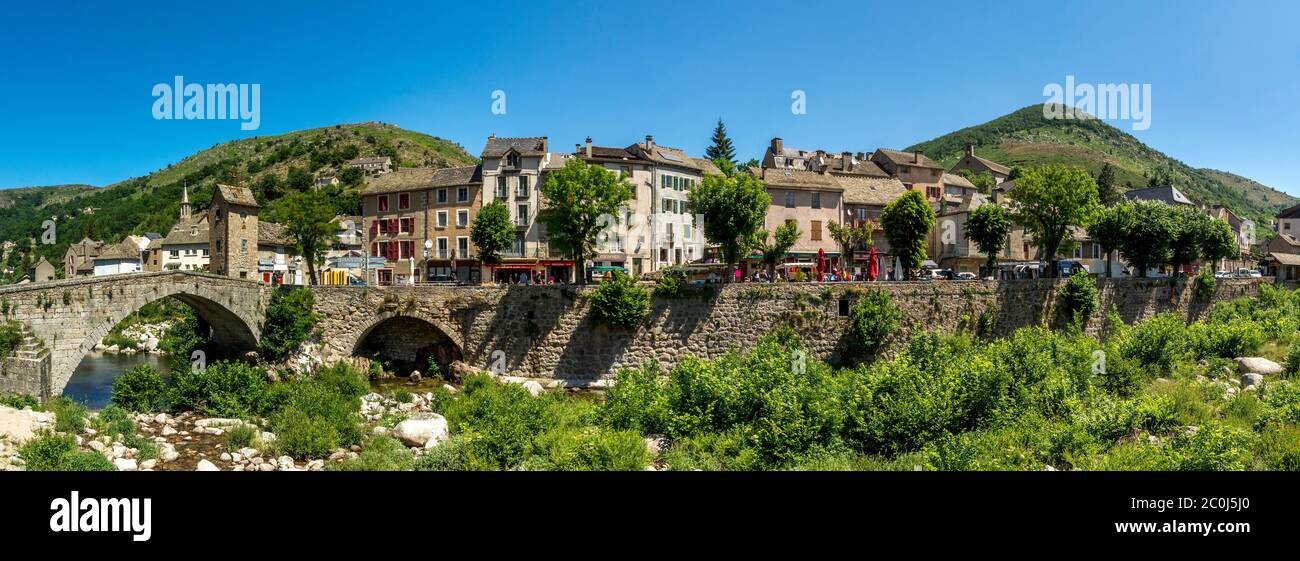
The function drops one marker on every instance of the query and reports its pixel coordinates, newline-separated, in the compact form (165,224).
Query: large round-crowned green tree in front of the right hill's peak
(1048,201)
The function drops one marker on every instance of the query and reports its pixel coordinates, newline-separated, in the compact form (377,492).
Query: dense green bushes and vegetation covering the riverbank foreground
(1159,395)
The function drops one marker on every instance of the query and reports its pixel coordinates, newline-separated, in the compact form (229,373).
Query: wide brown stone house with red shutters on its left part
(419,221)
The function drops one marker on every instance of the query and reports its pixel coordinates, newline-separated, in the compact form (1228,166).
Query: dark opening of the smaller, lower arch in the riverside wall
(408,341)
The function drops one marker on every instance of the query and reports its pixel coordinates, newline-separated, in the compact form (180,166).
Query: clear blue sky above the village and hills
(76,79)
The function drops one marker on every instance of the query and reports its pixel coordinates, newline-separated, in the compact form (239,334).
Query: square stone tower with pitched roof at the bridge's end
(233,245)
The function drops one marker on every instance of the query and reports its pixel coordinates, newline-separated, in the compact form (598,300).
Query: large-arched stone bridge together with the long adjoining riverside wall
(541,332)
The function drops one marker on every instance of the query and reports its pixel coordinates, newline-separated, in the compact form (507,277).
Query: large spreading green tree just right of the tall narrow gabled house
(580,202)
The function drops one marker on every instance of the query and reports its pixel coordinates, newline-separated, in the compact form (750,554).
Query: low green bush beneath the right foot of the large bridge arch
(223,389)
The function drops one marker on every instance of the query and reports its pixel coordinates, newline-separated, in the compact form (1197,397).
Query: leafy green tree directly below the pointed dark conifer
(734,208)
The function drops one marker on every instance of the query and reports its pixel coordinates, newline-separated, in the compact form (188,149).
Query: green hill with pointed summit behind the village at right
(1025,138)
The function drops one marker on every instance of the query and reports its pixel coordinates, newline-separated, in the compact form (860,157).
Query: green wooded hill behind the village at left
(271,166)
